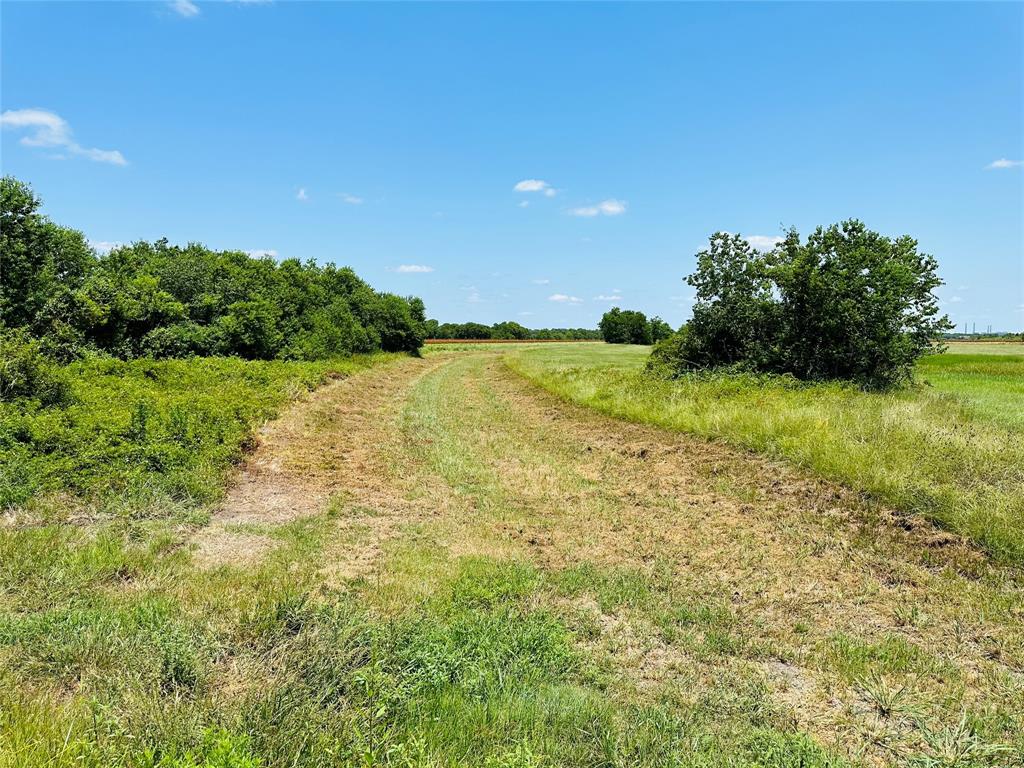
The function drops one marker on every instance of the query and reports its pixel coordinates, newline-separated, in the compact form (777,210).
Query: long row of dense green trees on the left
(155,300)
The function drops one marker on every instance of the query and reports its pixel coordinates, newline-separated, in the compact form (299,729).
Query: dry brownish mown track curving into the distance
(456,454)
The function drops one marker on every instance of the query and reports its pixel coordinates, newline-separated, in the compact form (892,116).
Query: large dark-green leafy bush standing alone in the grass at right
(848,305)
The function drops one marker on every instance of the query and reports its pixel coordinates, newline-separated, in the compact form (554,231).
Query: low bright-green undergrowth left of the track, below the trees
(162,431)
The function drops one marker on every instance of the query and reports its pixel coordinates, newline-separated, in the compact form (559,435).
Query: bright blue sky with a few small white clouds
(393,138)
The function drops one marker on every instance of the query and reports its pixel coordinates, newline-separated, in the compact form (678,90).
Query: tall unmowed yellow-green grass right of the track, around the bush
(951,450)
